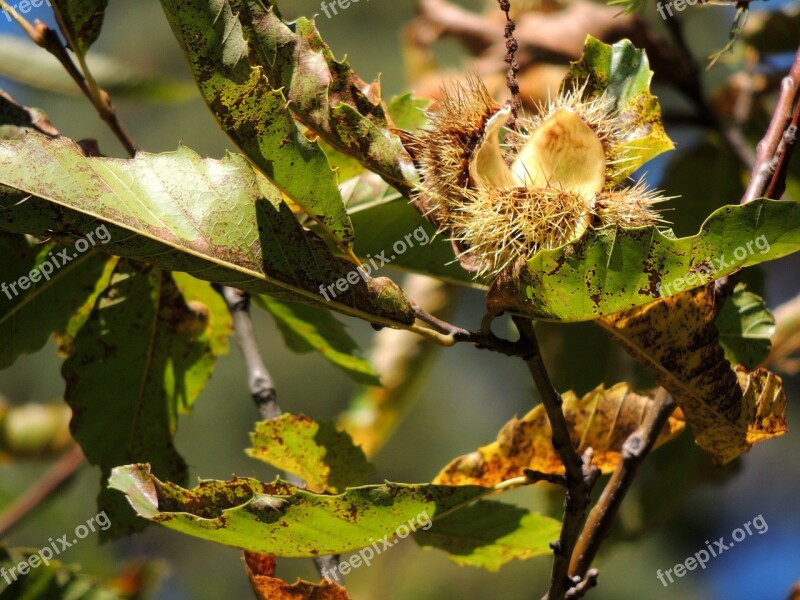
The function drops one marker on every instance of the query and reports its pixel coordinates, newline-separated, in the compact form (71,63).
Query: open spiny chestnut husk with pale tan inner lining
(560,172)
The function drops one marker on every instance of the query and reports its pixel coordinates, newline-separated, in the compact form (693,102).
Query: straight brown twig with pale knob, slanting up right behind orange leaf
(634,450)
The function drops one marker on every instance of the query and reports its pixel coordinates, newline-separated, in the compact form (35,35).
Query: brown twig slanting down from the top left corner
(46,38)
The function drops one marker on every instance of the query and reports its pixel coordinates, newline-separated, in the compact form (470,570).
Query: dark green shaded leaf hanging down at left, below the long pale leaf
(142,355)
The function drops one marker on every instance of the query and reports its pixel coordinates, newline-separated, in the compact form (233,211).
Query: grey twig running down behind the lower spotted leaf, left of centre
(262,389)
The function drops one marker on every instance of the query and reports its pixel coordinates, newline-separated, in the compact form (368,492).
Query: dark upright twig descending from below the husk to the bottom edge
(580,474)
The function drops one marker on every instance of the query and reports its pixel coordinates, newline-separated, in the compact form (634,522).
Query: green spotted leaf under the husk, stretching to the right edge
(611,269)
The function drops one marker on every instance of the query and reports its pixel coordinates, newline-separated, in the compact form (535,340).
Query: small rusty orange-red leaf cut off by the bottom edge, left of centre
(261,570)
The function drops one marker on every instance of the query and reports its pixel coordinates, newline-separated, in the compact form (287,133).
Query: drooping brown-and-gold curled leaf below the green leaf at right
(677,341)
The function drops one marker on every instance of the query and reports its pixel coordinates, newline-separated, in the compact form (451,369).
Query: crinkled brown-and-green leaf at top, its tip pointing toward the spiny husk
(325,94)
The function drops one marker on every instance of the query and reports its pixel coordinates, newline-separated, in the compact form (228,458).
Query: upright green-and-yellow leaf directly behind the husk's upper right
(622,72)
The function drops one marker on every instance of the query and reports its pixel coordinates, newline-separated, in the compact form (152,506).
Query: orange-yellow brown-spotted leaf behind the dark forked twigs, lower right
(602,419)
